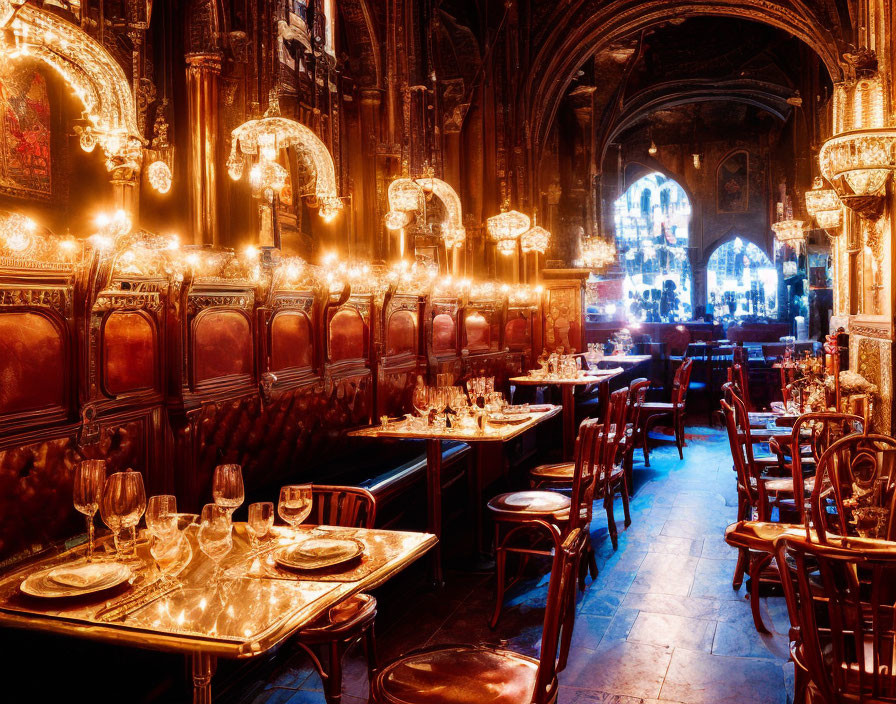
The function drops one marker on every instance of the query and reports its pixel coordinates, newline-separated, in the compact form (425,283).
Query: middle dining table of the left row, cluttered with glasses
(511,425)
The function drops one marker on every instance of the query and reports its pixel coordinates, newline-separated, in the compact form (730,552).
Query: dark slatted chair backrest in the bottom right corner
(846,625)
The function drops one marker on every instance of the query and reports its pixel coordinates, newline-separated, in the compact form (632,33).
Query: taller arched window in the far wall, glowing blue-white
(651,220)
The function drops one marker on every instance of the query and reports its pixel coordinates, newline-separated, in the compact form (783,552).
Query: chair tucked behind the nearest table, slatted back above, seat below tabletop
(351,620)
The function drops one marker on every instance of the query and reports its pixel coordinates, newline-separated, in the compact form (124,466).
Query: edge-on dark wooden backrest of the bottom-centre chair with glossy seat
(559,615)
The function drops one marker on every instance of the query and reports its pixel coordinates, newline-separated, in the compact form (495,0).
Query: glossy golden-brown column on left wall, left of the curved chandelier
(203,81)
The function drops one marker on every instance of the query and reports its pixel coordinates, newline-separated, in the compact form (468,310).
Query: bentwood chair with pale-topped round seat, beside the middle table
(517,513)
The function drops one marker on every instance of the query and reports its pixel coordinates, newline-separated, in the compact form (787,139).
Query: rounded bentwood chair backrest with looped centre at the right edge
(855,488)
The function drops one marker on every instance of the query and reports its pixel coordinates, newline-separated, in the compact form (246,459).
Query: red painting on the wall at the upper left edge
(25,139)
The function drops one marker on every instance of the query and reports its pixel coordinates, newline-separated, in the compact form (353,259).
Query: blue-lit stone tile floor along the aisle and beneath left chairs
(660,624)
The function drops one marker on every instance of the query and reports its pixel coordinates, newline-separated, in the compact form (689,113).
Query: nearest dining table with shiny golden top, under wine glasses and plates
(253,605)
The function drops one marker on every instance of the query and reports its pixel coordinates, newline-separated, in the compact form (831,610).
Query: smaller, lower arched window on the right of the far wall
(740,282)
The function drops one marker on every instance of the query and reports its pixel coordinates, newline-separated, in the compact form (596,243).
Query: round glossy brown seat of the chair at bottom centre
(460,674)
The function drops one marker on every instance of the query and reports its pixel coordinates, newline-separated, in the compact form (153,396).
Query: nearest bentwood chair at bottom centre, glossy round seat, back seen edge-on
(473,674)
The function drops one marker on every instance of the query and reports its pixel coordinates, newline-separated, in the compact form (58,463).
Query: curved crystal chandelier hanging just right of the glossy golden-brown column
(263,139)
